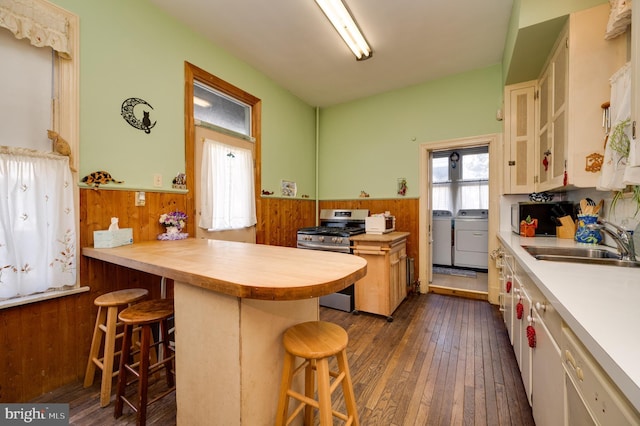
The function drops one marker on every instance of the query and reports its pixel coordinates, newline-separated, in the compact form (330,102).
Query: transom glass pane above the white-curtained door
(213,107)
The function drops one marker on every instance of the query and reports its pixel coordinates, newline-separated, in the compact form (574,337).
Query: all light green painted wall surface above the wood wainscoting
(133,49)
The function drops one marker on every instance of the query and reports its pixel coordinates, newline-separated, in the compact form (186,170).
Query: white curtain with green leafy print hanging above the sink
(616,151)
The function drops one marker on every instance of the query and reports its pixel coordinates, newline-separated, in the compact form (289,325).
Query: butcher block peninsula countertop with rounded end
(253,271)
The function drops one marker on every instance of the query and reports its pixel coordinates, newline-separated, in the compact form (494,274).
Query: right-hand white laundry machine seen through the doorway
(471,245)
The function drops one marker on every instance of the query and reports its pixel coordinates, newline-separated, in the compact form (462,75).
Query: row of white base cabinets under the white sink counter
(564,384)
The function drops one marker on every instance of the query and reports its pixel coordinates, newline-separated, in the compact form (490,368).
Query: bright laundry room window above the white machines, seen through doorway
(462,183)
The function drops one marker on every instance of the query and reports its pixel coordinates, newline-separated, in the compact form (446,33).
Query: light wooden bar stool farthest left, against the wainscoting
(106,325)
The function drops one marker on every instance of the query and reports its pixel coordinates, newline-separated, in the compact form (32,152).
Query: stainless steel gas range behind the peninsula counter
(336,226)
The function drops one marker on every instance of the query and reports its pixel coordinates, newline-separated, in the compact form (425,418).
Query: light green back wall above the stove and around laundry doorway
(368,144)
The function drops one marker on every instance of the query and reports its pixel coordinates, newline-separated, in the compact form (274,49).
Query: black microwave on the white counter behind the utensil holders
(546,213)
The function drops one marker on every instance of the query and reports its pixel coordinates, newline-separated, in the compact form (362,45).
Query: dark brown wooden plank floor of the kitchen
(443,360)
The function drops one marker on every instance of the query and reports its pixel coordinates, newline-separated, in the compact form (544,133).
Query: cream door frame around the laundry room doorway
(424,248)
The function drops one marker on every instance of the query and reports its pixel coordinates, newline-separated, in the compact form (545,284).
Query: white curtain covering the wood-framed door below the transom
(227,189)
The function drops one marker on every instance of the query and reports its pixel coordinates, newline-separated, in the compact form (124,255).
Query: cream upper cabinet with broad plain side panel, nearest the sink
(571,90)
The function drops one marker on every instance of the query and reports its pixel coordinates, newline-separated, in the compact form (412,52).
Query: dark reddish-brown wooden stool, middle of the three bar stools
(145,315)
